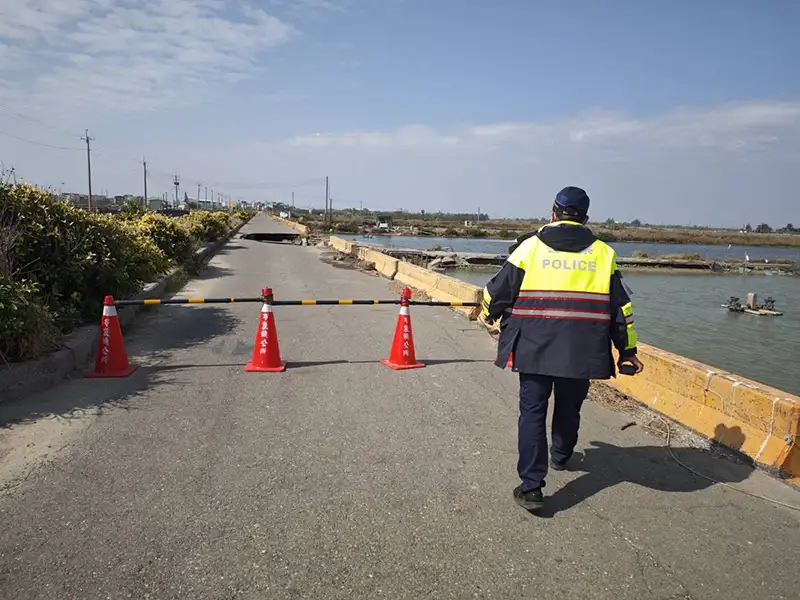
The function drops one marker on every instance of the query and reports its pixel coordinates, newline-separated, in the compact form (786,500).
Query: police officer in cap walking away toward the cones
(564,304)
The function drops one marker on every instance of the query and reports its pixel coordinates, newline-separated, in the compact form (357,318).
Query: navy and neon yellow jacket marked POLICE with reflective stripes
(562,322)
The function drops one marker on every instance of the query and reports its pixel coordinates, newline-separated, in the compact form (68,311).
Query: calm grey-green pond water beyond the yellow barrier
(681,313)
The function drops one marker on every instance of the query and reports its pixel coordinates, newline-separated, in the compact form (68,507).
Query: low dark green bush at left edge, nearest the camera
(27,327)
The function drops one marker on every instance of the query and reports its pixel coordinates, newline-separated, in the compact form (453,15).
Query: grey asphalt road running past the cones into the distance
(343,479)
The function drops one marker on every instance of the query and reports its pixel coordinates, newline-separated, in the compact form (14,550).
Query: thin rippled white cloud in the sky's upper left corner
(126,55)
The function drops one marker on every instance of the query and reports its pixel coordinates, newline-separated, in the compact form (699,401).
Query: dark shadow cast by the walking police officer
(605,465)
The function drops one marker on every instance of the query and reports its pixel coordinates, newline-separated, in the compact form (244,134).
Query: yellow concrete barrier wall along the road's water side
(757,420)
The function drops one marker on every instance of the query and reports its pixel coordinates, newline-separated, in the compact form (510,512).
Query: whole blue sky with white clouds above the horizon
(668,112)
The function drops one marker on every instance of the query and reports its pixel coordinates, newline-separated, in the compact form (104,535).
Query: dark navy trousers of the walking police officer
(534,394)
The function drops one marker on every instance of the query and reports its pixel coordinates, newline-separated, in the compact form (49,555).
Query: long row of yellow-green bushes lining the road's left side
(58,262)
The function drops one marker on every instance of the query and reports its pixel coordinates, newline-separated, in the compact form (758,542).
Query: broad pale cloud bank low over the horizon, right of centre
(726,164)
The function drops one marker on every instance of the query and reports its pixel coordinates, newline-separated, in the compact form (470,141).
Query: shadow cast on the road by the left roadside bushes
(150,340)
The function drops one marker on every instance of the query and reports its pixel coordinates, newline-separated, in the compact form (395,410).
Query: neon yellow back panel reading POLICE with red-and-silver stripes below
(566,285)
